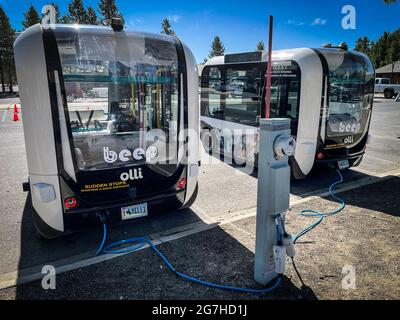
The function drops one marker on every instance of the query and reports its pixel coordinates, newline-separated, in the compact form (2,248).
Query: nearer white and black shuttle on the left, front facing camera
(103,115)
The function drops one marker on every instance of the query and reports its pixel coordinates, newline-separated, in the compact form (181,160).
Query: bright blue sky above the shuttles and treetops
(241,24)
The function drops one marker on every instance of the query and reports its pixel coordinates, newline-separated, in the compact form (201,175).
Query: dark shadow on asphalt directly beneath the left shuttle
(35,252)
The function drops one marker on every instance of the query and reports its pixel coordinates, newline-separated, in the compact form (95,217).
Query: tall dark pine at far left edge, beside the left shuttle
(7,36)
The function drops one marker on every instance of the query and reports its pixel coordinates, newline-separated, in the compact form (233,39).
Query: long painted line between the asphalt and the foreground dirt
(18,277)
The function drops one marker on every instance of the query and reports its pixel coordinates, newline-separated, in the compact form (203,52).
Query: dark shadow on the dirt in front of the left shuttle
(213,255)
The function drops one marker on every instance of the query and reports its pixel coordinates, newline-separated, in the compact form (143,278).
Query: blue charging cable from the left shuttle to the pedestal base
(139,242)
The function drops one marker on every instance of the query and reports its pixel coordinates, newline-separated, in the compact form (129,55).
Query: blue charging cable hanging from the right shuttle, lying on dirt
(320,215)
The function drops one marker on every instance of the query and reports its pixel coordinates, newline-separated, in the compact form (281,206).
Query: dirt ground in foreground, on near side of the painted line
(364,236)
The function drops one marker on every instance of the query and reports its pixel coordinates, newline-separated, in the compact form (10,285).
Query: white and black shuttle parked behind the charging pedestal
(327,93)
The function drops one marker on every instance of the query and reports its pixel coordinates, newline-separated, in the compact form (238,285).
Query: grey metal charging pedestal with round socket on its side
(273,191)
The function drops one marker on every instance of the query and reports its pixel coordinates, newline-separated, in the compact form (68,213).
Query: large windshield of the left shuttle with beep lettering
(117,93)
